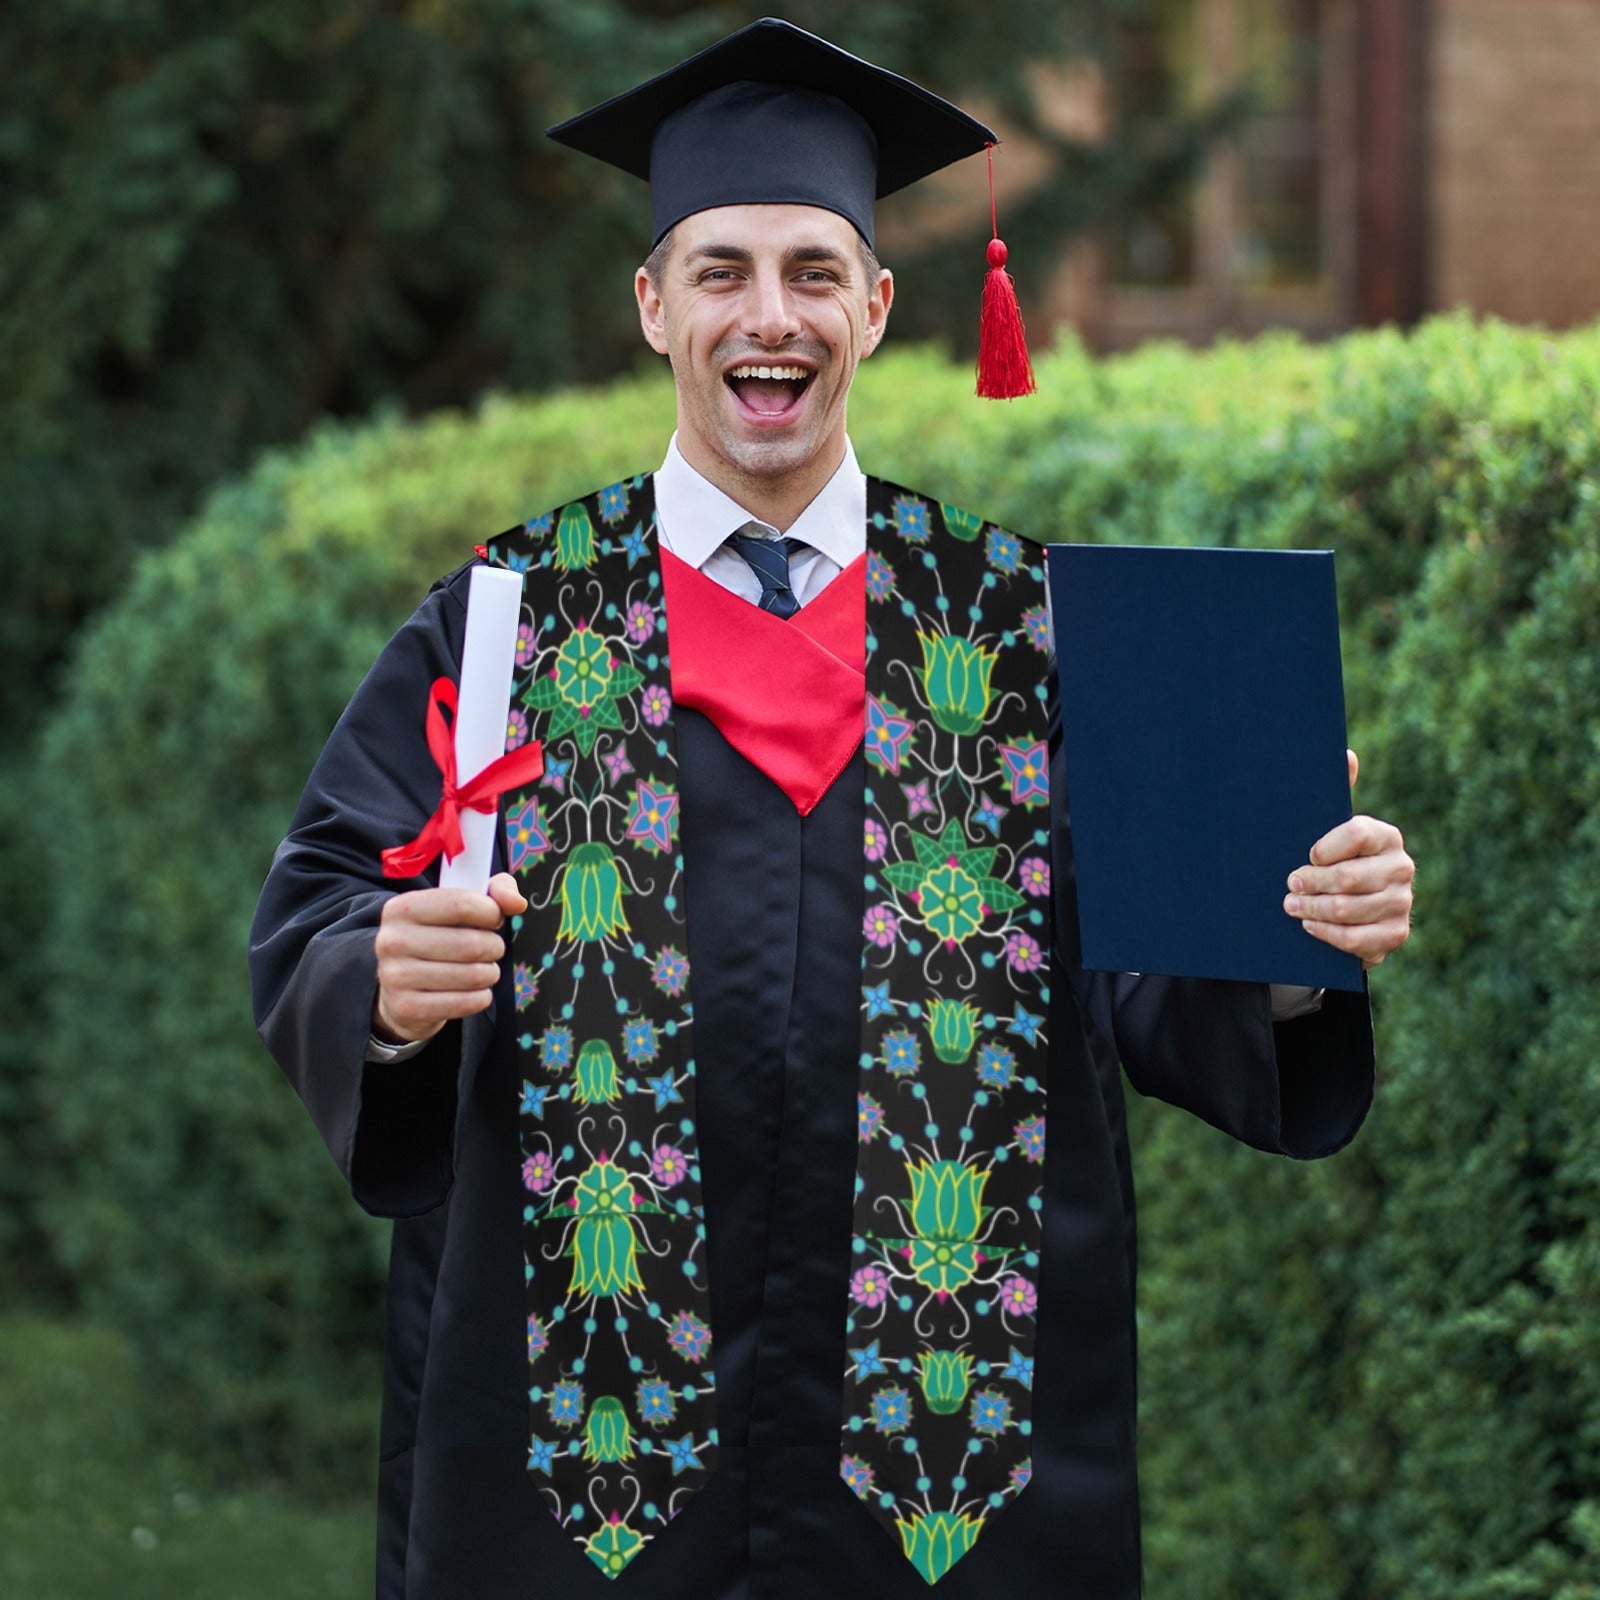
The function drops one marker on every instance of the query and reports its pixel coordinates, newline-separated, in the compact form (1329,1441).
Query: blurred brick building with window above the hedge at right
(1401,158)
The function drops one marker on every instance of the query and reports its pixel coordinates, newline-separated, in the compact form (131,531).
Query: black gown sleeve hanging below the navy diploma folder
(1298,1089)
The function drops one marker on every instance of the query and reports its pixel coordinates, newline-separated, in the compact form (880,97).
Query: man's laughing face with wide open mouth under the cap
(764,313)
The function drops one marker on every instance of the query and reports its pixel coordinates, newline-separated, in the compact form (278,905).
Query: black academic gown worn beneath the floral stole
(775,911)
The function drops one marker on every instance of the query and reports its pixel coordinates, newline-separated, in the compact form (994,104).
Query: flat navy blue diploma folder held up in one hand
(1202,713)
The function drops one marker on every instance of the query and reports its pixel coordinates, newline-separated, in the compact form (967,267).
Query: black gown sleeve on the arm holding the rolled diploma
(313,961)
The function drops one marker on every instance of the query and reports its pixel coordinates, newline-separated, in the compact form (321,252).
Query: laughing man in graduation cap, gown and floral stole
(641,1326)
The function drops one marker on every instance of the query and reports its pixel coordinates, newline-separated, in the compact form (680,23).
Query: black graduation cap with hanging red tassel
(775,116)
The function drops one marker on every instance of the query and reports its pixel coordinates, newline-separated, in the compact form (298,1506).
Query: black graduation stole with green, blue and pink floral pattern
(943,1290)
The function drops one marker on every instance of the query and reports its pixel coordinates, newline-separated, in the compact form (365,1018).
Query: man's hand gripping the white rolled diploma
(439,954)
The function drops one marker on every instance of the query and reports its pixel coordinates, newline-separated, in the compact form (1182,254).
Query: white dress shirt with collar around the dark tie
(694,521)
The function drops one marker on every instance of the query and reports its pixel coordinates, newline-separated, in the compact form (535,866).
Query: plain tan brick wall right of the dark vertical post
(1516,159)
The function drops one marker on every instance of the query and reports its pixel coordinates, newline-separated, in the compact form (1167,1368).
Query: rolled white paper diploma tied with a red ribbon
(494,612)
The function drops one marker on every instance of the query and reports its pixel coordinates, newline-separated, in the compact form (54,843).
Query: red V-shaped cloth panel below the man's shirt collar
(791,697)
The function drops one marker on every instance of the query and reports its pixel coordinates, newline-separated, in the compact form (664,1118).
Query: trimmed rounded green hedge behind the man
(1369,1378)
